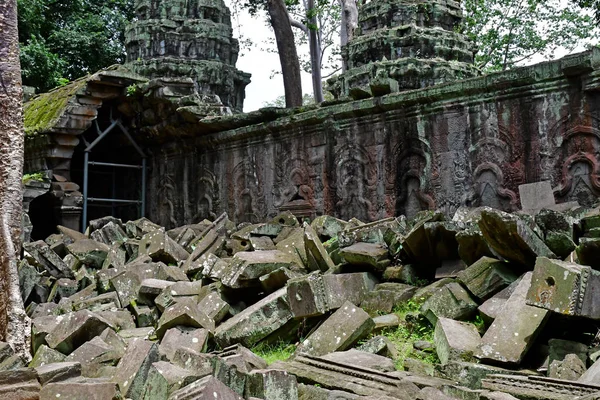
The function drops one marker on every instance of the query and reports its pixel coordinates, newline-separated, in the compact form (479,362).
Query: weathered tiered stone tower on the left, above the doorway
(188,38)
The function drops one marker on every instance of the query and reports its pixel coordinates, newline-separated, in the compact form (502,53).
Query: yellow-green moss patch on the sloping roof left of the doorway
(44,111)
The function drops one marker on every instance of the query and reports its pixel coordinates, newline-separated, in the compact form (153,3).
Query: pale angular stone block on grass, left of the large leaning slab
(455,340)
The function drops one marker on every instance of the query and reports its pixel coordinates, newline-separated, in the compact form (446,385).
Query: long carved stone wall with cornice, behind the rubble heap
(471,142)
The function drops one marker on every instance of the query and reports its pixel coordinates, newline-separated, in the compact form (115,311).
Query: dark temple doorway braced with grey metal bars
(110,168)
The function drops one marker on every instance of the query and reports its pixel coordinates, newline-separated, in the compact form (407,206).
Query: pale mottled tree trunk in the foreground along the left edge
(14,324)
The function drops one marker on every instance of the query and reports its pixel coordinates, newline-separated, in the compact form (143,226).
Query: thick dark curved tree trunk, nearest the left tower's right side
(288,56)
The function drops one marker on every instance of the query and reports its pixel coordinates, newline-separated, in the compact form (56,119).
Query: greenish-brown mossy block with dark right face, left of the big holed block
(487,277)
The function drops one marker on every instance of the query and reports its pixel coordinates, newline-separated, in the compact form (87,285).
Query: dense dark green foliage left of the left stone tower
(67,39)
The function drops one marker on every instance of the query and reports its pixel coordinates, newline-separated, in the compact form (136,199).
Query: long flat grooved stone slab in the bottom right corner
(539,388)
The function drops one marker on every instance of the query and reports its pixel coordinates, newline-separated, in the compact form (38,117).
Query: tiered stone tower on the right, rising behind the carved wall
(402,45)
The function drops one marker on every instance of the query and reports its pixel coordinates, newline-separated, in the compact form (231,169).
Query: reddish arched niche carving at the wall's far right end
(572,154)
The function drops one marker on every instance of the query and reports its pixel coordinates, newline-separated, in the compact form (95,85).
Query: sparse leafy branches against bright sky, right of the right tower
(510,32)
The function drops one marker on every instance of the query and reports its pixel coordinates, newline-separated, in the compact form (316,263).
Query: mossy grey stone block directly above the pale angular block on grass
(450,301)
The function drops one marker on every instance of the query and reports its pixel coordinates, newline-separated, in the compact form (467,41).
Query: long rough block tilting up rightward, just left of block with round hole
(256,322)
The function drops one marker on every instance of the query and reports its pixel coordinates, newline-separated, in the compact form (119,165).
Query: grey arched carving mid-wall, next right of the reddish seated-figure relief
(355,177)
